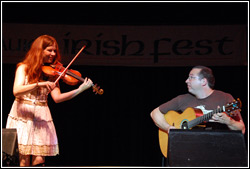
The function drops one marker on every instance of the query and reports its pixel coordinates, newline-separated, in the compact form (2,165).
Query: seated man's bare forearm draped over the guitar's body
(159,120)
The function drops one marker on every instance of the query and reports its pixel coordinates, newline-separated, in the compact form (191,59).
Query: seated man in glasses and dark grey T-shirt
(203,96)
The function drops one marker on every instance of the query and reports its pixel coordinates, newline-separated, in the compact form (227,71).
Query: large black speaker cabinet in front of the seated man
(206,148)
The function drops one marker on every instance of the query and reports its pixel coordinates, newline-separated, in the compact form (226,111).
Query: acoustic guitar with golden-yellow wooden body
(191,117)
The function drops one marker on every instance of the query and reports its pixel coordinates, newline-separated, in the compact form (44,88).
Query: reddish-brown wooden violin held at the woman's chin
(71,77)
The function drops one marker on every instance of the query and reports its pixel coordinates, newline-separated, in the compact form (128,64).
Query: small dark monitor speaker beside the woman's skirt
(10,153)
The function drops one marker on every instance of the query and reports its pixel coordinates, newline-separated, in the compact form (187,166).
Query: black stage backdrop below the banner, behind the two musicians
(115,129)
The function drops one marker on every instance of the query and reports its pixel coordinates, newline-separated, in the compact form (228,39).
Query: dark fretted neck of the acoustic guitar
(205,117)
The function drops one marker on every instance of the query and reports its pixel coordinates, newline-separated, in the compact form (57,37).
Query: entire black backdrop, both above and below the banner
(115,129)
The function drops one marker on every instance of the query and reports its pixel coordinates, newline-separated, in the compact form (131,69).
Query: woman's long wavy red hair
(34,57)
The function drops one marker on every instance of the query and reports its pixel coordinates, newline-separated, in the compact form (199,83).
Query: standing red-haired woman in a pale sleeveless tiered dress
(30,113)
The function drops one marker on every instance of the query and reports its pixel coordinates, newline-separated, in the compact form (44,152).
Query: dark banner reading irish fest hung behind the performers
(112,45)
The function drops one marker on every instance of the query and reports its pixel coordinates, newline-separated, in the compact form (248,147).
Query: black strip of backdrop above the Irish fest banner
(147,13)
